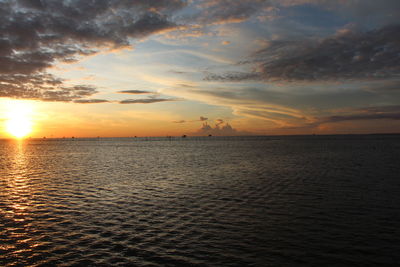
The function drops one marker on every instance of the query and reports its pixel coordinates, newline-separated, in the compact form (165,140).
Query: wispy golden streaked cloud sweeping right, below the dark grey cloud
(302,107)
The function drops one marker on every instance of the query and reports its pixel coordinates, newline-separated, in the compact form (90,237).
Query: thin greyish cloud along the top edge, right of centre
(216,12)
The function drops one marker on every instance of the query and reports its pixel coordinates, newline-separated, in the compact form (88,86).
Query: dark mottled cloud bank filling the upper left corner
(37,34)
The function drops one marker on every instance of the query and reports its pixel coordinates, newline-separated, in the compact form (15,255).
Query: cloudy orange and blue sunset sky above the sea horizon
(124,68)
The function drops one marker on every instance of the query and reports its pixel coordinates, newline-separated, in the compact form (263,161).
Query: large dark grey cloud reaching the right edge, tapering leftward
(347,56)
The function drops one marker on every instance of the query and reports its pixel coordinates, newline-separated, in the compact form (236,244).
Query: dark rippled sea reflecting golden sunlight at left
(244,201)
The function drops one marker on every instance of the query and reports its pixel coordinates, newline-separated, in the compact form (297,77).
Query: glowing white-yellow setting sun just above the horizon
(19,122)
